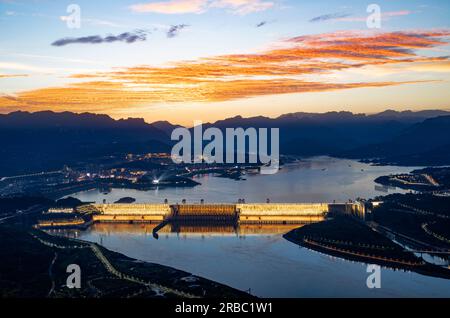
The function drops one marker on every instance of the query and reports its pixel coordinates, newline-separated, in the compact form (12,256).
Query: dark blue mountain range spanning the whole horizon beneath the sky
(47,140)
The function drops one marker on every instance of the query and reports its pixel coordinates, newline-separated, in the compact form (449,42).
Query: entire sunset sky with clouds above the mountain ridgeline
(186,60)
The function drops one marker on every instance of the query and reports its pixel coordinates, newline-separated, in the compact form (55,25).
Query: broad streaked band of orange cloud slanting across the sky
(280,70)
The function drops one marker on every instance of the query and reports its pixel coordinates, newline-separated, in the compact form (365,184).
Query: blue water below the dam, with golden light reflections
(257,257)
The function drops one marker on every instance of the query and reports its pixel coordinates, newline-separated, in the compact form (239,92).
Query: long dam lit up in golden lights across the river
(252,213)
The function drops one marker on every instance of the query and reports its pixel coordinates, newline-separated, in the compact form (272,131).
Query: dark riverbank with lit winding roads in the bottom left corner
(35,266)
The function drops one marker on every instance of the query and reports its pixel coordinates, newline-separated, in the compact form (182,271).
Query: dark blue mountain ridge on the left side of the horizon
(34,142)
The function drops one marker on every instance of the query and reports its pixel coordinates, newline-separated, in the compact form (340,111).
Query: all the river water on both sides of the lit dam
(257,258)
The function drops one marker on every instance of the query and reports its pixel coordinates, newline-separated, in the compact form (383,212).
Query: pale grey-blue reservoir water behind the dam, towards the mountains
(320,179)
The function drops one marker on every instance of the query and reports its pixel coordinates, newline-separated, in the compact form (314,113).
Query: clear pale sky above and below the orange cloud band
(219,27)
